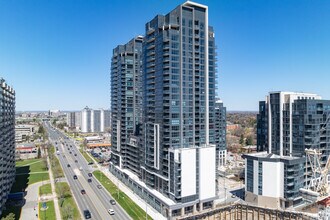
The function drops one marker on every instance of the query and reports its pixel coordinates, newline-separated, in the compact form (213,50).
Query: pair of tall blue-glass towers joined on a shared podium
(175,168)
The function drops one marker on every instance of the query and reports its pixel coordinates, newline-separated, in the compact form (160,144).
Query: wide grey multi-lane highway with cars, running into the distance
(97,199)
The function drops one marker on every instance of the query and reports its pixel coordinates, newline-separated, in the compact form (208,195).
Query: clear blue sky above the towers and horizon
(56,53)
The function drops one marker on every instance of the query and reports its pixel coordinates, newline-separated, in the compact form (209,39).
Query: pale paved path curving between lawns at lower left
(30,208)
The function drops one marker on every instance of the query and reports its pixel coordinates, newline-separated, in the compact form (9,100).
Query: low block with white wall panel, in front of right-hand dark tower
(272,180)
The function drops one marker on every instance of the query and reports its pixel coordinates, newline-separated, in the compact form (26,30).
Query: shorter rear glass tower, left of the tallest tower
(126,106)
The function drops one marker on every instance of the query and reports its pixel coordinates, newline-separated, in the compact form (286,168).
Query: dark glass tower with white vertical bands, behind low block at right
(278,122)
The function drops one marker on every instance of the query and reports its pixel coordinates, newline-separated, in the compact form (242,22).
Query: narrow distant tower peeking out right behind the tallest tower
(220,133)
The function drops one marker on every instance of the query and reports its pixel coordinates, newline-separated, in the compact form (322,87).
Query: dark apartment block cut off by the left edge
(7,141)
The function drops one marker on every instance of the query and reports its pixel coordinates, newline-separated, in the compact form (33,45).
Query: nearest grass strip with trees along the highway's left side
(68,200)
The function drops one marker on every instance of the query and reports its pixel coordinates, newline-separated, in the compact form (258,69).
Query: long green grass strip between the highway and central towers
(128,205)
